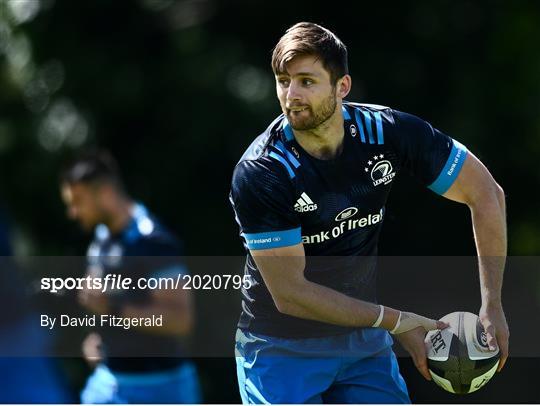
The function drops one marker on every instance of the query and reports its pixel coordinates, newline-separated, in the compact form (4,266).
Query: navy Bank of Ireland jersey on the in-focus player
(282,196)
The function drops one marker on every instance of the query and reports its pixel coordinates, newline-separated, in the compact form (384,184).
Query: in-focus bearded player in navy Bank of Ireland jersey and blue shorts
(314,185)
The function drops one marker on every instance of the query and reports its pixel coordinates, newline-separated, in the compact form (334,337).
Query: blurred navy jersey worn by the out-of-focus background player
(145,248)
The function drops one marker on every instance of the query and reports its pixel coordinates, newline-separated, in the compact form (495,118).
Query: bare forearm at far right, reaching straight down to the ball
(489,224)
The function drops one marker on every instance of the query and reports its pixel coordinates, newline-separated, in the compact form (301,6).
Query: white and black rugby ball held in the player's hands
(459,359)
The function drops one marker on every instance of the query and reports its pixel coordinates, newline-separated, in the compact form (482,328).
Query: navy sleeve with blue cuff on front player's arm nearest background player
(263,202)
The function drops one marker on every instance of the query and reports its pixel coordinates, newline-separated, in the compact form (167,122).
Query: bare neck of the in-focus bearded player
(326,141)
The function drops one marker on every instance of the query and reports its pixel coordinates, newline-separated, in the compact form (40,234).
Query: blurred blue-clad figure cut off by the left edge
(25,377)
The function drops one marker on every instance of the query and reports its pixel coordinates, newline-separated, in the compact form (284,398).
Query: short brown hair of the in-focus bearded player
(311,39)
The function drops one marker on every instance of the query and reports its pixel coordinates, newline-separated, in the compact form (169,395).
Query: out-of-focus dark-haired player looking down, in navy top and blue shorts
(128,240)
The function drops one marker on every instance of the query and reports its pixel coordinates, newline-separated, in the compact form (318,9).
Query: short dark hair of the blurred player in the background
(92,167)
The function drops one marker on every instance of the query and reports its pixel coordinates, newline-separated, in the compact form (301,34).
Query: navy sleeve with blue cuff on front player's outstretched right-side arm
(432,157)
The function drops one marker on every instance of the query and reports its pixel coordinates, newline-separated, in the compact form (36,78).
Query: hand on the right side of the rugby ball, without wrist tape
(494,322)
